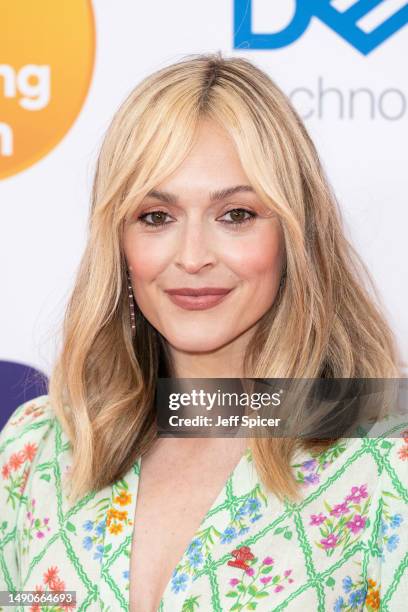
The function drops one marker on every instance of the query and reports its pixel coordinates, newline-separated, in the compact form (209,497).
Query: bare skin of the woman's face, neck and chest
(198,243)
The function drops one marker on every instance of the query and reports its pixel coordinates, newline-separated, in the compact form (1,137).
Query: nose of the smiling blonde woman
(196,248)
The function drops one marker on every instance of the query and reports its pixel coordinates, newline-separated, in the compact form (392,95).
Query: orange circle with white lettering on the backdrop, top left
(47,54)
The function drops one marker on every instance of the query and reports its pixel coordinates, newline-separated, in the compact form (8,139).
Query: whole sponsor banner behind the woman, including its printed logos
(65,67)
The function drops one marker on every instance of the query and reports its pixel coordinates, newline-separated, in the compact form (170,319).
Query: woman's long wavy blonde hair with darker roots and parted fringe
(325,321)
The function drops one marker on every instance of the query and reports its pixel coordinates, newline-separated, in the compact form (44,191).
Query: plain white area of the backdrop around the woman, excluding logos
(364,151)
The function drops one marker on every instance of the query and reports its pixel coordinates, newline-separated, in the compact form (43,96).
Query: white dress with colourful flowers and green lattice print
(343,546)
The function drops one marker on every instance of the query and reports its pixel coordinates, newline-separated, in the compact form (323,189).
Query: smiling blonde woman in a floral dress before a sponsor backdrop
(207,184)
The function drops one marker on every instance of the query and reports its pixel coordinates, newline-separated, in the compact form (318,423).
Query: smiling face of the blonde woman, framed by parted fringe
(204,229)
